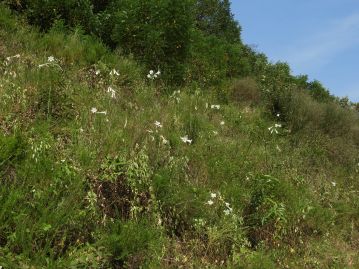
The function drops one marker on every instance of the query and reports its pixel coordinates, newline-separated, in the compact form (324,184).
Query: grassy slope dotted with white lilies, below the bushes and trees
(84,190)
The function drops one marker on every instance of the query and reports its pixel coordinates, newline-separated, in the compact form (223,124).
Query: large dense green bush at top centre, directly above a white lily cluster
(157,32)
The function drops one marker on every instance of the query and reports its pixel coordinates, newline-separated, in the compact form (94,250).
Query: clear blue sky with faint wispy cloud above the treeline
(319,38)
